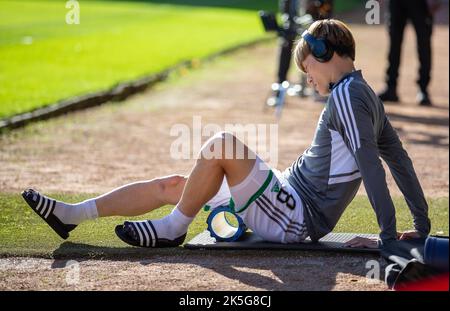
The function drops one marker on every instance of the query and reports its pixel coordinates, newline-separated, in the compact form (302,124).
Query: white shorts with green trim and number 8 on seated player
(267,204)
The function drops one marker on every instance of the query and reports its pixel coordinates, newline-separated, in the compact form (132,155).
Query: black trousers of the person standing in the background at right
(400,11)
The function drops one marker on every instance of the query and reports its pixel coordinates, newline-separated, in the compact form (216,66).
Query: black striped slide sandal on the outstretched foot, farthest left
(44,207)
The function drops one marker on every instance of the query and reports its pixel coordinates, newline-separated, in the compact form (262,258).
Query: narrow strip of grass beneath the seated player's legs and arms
(23,233)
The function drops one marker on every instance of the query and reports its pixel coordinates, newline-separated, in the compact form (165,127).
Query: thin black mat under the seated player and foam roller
(333,242)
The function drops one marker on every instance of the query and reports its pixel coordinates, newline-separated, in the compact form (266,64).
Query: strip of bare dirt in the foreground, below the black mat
(194,271)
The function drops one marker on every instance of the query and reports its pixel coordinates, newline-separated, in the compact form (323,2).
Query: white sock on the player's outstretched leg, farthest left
(74,214)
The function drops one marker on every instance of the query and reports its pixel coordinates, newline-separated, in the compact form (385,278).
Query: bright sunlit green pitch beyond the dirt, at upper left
(43,59)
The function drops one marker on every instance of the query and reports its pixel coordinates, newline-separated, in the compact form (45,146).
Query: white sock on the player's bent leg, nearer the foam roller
(173,225)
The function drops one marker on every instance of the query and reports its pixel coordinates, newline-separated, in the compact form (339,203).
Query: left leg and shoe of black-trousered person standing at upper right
(397,18)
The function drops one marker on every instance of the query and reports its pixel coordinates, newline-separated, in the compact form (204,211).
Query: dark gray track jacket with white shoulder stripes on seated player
(352,133)
